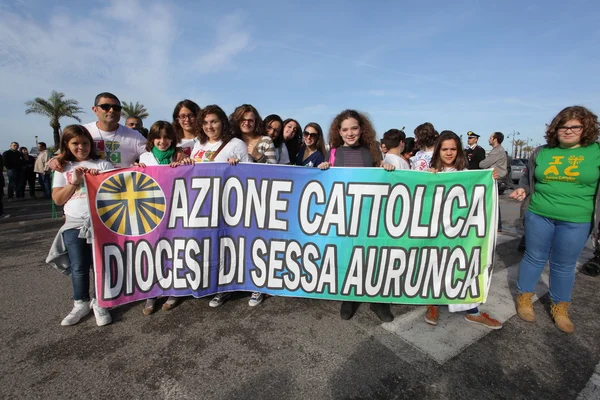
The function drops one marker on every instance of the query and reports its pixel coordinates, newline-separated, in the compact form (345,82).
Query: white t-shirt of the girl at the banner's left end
(77,206)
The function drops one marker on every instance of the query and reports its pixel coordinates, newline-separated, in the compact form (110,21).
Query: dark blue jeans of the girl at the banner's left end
(80,255)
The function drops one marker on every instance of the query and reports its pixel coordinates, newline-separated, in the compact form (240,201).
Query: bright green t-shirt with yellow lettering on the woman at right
(566,181)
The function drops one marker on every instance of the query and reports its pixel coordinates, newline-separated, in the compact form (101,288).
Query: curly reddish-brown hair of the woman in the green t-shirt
(589,120)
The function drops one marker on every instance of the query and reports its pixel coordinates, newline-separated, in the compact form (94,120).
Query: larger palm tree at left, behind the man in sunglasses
(55,108)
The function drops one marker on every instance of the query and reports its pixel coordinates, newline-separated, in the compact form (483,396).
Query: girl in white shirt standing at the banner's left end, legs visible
(77,157)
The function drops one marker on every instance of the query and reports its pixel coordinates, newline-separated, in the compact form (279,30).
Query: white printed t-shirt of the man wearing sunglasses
(121,147)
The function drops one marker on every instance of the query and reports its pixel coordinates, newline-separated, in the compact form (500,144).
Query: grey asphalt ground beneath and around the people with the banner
(285,348)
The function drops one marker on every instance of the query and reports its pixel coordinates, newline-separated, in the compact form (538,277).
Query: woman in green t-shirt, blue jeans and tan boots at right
(562,179)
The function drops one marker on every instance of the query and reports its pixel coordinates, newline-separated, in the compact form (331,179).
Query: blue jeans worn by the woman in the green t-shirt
(558,241)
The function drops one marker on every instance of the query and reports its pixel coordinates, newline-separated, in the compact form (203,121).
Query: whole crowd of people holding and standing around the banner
(564,172)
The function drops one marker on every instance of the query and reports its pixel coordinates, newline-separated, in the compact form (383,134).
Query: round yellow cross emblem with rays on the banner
(130,203)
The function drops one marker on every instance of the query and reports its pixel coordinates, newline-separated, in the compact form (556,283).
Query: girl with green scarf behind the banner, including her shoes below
(162,150)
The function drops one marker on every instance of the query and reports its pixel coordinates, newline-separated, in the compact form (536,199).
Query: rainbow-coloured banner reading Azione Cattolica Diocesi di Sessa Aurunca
(359,234)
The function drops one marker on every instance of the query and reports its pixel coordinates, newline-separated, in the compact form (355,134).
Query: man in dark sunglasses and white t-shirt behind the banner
(116,143)
